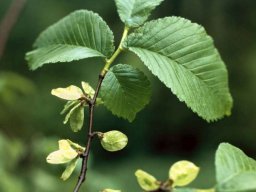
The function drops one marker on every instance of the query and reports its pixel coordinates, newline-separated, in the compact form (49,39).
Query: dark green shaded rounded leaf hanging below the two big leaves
(125,91)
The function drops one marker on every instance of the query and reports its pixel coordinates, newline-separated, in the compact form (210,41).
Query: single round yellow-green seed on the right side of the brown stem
(114,140)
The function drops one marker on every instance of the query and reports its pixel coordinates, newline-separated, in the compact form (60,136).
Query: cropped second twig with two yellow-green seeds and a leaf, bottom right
(235,172)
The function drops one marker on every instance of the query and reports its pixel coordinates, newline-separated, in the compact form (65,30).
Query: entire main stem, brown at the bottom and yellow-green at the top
(92,104)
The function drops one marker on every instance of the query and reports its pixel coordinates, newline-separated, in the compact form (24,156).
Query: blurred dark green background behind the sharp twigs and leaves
(164,132)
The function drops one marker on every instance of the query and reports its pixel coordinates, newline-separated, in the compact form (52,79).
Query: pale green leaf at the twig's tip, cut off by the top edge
(135,12)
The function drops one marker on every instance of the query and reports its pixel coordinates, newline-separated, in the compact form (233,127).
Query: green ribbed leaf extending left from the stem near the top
(82,34)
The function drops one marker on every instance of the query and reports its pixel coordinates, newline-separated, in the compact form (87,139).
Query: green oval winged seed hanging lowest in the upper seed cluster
(77,119)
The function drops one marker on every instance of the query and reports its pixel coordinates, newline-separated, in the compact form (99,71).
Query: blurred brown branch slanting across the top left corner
(9,21)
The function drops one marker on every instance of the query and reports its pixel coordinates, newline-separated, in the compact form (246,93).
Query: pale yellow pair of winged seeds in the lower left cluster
(64,155)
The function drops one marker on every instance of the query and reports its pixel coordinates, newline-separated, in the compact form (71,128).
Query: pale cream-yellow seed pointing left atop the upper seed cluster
(69,93)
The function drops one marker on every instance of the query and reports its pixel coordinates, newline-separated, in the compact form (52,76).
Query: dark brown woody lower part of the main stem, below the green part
(90,135)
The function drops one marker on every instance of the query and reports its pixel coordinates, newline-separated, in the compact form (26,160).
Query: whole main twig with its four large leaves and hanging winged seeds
(179,53)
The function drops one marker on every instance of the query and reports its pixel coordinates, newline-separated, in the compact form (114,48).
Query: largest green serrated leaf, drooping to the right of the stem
(183,57)
